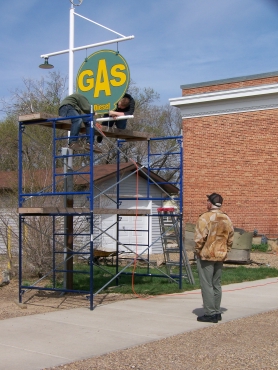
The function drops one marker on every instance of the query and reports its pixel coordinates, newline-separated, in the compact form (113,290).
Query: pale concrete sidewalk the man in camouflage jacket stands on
(52,339)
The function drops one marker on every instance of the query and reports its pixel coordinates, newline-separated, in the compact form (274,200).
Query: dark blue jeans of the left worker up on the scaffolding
(69,111)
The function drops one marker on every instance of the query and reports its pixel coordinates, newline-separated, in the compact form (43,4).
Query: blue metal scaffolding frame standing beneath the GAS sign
(70,212)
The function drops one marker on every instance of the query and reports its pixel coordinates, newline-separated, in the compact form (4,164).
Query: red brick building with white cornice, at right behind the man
(230,130)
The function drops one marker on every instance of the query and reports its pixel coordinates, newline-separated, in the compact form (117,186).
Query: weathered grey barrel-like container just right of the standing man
(241,248)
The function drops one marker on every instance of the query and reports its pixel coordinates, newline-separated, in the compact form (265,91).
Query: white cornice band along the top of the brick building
(228,101)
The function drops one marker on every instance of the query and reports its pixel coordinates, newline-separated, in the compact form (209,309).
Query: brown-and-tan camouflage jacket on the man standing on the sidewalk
(213,235)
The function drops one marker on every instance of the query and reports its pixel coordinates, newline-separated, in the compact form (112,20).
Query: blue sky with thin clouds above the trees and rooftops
(176,42)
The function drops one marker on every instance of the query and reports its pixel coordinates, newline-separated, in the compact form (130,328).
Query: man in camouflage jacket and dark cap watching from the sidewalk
(214,238)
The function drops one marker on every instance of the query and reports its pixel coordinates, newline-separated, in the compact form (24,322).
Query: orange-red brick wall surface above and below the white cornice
(234,155)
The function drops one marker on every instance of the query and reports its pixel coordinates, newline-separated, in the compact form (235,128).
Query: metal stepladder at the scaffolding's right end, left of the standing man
(171,242)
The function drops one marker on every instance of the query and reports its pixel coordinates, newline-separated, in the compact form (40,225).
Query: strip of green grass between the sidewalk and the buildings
(151,285)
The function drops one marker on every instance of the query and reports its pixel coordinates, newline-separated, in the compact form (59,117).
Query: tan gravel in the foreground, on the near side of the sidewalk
(249,343)
